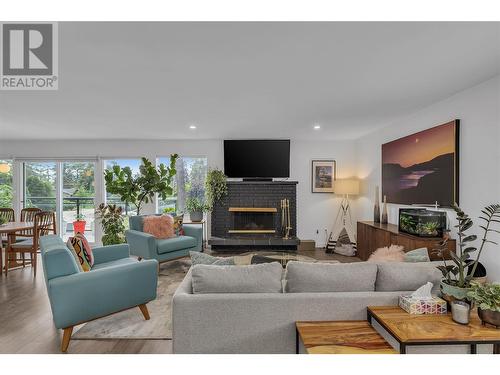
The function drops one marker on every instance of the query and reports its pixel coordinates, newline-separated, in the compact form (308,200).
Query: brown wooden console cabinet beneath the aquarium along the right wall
(372,236)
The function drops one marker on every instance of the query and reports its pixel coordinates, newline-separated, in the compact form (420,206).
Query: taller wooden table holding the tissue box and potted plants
(418,330)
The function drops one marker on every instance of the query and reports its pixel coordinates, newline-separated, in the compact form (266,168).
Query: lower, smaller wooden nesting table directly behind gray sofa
(341,337)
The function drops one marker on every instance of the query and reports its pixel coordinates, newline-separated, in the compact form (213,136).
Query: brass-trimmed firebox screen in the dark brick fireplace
(253,220)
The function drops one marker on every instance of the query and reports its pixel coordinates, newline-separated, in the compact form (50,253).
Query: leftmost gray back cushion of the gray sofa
(258,278)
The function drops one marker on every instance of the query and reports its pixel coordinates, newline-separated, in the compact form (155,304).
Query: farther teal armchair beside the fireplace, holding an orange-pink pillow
(147,246)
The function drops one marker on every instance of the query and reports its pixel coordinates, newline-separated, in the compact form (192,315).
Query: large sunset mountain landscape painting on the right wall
(422,168)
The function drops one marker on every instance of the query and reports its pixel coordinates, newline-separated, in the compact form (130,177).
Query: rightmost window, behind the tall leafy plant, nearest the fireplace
(189,183)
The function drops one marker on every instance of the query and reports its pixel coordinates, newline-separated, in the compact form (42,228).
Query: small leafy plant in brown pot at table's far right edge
(487,299)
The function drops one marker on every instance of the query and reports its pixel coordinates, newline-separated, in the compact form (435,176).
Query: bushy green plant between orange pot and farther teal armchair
(112,222)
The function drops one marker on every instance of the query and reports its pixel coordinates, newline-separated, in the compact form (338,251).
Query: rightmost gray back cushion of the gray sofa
(407,276)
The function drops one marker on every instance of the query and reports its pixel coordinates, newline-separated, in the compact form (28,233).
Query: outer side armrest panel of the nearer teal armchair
(88,295)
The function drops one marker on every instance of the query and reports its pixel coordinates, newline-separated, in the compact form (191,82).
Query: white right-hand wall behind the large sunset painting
(478,111)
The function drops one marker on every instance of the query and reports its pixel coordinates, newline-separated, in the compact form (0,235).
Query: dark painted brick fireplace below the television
(250,216)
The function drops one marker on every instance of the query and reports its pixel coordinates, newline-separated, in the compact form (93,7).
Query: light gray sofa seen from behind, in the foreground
(253,309)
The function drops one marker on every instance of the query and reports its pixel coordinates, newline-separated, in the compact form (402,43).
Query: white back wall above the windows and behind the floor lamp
(316,211)
